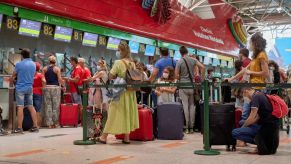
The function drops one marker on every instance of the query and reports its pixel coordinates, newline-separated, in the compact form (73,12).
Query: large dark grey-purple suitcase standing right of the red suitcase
(170,121)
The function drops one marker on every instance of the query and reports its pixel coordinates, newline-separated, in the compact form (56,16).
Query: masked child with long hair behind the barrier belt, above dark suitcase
(166,94)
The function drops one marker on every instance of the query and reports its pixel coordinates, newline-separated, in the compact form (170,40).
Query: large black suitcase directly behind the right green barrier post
(221,124)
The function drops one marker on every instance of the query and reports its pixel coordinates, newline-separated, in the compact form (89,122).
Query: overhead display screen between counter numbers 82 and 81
(63,34)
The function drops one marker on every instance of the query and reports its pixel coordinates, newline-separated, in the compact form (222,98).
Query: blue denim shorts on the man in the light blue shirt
(24,98)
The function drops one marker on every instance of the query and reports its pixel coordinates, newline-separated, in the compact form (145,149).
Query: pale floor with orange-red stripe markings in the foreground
(55,146)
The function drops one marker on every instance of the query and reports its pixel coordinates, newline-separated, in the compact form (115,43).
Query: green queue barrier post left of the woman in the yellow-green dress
(85,140)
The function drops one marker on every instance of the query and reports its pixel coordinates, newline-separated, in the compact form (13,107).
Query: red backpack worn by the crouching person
(280,108)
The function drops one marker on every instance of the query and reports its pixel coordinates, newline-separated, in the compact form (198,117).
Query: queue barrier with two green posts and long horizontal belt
(204,85)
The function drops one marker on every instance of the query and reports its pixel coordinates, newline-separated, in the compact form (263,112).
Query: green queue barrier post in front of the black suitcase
(207,149)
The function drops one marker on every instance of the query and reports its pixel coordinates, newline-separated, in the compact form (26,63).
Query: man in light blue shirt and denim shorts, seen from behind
(24,75)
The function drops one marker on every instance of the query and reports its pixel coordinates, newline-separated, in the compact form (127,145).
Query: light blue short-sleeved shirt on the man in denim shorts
(25,71)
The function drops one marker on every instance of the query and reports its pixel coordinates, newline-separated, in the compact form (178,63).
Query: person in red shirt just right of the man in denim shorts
(38,83)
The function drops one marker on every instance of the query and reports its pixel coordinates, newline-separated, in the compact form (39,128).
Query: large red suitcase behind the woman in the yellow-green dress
(145,130)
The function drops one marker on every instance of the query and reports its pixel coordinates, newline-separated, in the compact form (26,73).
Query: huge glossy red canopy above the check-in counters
(183,28)
